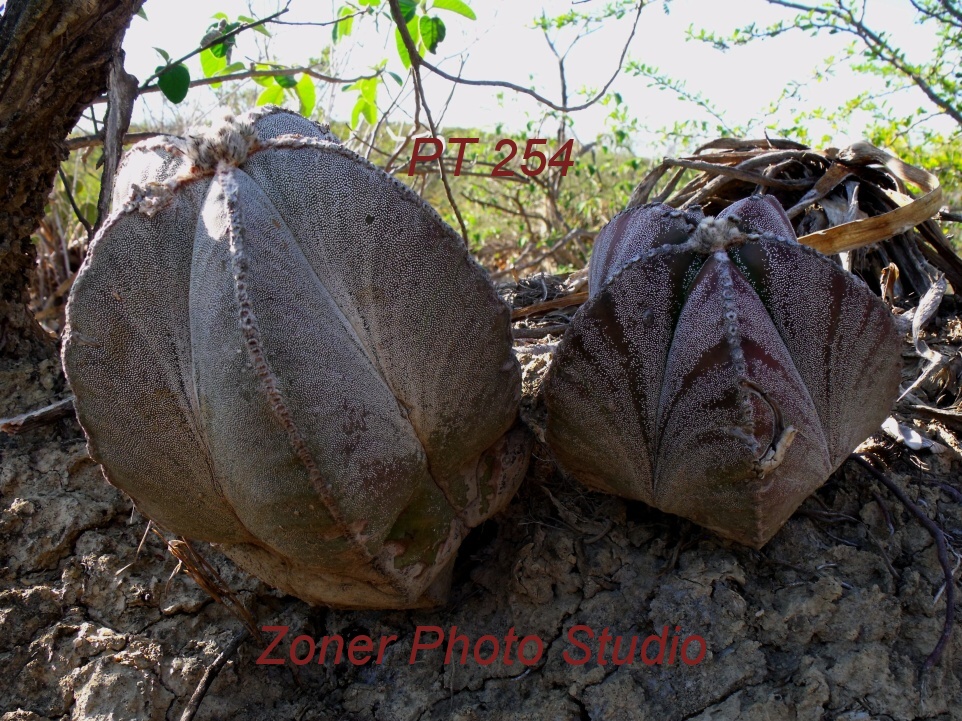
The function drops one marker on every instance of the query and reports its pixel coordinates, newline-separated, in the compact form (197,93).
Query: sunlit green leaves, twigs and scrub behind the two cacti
(519,224)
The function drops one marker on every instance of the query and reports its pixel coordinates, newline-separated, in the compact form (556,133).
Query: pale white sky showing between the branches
(501,44)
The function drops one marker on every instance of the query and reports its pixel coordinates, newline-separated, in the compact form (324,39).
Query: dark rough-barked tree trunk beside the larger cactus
(54,60)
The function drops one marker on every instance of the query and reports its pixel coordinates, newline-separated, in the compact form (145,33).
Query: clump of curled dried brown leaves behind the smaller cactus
(854,200)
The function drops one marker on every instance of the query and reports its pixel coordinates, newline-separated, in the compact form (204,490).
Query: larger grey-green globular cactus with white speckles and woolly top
(280,349)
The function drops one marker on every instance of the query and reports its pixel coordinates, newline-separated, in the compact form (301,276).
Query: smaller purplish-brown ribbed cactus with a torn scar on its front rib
(720,370)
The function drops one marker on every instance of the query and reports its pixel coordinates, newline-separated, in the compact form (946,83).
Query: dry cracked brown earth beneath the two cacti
(831,620)
